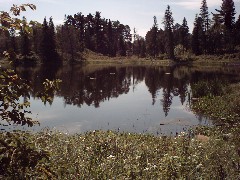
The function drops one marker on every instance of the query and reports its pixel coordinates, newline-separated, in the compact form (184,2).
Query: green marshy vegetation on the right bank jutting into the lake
(223,107)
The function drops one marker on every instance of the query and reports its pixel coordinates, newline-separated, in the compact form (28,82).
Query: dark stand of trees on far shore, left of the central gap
(69,40)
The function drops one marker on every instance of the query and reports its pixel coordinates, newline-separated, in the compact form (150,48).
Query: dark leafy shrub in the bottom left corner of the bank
(19,156)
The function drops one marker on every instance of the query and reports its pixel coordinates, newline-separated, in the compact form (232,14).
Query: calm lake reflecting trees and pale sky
(141,99)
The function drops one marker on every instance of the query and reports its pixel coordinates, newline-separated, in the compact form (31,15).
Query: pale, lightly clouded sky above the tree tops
(135,13)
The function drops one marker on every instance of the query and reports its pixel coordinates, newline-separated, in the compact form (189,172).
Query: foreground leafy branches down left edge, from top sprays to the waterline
(12,87)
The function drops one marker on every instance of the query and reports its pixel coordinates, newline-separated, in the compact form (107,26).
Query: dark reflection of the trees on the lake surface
(92,85)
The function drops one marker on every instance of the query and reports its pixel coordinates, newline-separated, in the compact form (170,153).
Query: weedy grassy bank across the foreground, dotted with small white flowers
(110,155)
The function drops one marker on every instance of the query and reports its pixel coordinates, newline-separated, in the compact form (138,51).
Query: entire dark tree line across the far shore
(217,33)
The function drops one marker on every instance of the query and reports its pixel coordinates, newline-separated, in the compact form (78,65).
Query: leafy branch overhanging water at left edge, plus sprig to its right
(12,88)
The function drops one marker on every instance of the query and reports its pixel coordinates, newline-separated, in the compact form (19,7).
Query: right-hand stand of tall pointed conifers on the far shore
(217,35)
